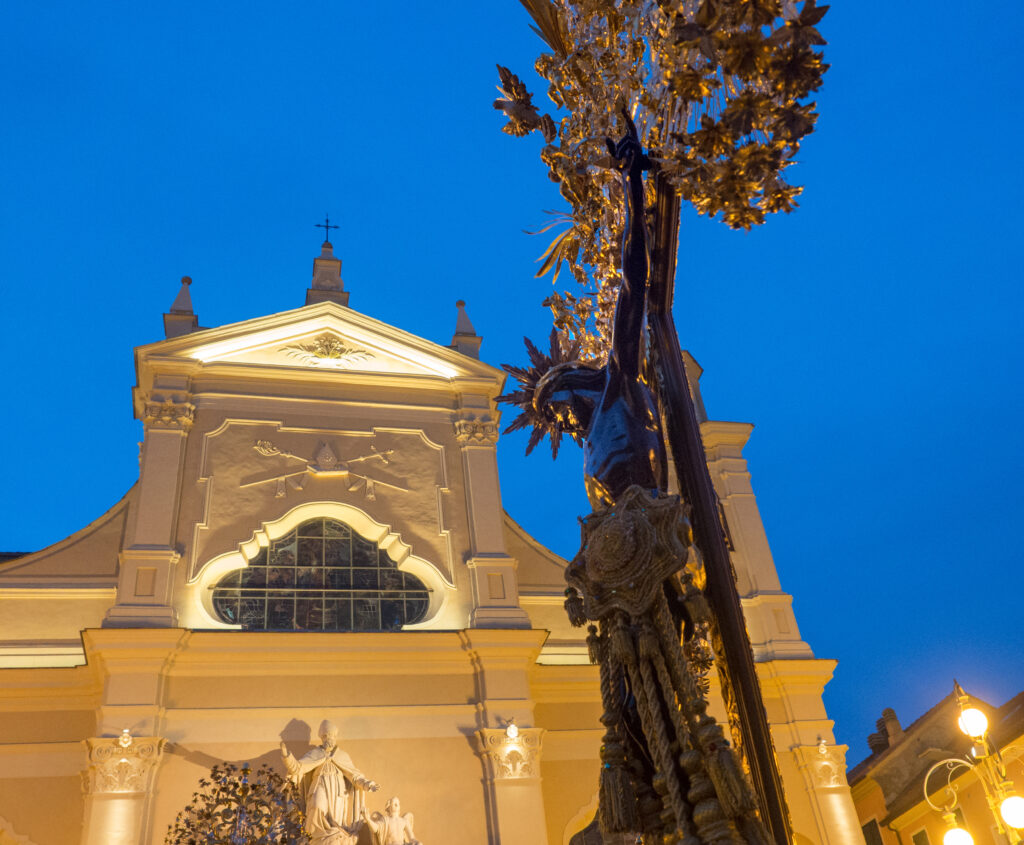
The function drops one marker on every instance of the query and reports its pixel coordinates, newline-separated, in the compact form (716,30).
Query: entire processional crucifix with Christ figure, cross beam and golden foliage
(720,90)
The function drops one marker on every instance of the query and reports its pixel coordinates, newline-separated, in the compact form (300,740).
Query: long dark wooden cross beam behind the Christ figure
(736,661)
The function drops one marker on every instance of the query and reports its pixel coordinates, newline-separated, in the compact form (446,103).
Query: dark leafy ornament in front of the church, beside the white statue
(239,807)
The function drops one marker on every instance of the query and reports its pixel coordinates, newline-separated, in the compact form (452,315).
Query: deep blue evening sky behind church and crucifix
(873,336)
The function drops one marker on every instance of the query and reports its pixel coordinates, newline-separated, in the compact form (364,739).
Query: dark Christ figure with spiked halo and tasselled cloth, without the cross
(668,772)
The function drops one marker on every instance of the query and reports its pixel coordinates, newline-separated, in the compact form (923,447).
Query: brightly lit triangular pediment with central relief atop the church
(325,337)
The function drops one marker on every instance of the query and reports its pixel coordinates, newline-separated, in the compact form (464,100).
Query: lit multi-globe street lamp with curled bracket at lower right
(987,763)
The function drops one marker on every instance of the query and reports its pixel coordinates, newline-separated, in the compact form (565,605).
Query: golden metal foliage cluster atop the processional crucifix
(719,91)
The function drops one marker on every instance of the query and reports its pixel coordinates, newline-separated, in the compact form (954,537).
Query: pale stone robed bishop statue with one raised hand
(332,788)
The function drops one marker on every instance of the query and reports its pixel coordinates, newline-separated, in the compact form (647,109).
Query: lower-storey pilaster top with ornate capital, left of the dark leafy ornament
(118,784)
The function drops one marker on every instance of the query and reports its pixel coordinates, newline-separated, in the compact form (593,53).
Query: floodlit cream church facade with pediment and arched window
(318,534)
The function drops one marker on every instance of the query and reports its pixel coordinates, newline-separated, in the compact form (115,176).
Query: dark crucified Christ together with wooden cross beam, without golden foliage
(654,579)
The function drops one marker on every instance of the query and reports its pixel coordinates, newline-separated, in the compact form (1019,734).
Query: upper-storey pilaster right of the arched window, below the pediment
(496,586)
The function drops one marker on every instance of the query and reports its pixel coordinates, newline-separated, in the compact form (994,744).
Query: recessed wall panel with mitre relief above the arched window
(253,474)
